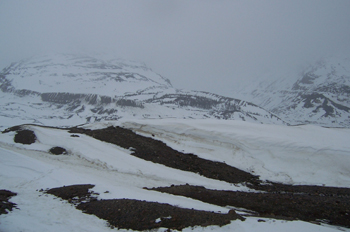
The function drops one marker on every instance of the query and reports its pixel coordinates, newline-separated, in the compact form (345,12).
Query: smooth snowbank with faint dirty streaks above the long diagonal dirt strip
(291,154)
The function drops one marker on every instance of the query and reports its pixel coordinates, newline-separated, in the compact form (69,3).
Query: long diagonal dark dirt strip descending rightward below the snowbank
(158,152)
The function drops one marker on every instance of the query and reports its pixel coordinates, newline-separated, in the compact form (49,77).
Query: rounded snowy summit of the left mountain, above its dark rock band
(88,75)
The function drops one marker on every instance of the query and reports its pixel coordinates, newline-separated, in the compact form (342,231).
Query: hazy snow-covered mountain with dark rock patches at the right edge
(320,94)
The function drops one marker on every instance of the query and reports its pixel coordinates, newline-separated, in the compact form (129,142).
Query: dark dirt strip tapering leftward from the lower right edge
(318,204)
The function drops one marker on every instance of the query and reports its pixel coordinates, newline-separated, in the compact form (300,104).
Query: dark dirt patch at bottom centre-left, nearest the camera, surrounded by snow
(139,215)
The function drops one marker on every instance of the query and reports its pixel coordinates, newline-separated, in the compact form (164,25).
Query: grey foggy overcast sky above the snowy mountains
(199,45)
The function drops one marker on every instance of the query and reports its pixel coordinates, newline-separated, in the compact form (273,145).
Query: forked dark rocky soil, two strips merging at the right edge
(308,203)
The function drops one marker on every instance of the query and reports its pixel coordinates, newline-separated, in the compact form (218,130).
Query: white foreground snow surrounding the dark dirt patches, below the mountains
(295,155)
